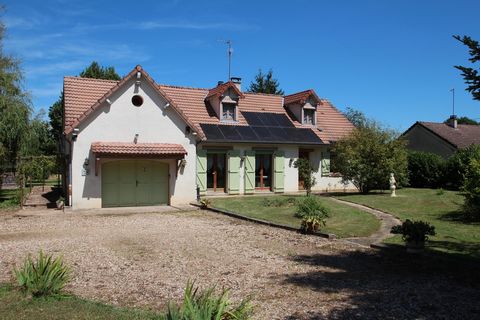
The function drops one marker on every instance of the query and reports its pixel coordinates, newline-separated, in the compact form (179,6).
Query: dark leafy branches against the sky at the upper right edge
(470,75)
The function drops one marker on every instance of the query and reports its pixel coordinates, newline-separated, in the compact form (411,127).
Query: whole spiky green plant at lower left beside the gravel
(43,276)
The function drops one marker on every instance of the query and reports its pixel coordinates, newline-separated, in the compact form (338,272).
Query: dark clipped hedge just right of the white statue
(425,170)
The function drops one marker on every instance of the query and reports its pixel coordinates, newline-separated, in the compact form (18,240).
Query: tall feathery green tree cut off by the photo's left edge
(14,104)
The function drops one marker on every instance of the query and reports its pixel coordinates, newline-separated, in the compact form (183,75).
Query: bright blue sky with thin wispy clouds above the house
(391,59)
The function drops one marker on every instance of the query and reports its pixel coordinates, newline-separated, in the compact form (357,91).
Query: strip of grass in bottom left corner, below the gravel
(14,305)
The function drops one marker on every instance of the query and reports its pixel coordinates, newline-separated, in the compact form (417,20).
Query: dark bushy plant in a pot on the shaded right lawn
(414,233)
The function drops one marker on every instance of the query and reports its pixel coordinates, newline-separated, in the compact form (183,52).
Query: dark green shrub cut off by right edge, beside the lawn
(471,189)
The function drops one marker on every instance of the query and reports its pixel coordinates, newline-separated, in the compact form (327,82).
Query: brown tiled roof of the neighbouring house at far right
(462,137)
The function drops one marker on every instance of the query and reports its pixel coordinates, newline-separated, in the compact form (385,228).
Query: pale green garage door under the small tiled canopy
(134,183)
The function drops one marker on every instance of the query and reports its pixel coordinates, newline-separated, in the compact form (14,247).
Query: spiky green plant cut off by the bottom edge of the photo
(206,305)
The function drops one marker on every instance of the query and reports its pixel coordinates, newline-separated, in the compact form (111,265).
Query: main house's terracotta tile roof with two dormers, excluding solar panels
(83,95)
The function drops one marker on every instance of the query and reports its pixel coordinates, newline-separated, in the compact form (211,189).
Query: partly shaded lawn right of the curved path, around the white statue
(439,207)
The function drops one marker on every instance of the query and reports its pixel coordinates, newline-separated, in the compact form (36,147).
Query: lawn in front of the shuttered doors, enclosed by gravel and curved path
(344,221)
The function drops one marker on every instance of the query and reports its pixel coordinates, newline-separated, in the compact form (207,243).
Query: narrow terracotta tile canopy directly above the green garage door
(123,148)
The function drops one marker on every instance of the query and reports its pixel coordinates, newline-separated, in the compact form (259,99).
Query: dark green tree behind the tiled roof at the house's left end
(55,112)
